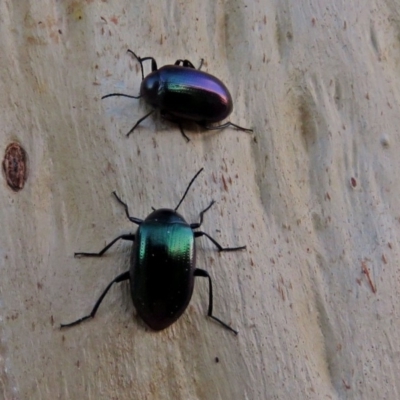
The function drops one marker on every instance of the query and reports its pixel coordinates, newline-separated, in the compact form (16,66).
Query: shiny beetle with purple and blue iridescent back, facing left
(182,92)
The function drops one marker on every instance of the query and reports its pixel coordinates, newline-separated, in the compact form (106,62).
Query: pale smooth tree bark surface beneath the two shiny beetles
(314,194)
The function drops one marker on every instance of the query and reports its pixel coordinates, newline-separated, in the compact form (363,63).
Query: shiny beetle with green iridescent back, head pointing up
(162,266)
